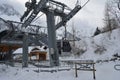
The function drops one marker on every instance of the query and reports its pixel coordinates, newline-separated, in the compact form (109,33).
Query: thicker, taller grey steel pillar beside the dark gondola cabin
(54,56)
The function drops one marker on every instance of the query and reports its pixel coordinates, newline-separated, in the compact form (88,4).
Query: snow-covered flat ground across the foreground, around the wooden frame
(104,71)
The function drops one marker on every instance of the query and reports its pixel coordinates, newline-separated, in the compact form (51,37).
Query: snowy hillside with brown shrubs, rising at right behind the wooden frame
(108,43)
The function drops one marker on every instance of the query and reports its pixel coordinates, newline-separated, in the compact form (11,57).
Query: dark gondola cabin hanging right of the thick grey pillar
(63,45)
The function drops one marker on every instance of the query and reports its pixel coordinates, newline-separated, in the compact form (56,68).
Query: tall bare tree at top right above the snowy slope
(112,14)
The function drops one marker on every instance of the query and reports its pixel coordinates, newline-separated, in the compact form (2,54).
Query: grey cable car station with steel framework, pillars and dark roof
(28,34)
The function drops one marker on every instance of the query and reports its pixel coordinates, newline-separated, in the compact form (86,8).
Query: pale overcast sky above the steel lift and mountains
(91,16)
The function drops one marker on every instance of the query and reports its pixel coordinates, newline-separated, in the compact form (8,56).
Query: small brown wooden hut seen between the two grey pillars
(38,55)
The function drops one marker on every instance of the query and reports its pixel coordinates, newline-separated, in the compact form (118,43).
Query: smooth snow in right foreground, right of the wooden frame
(108,72)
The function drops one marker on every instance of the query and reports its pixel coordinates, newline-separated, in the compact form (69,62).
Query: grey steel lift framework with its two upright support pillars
(51,8)
